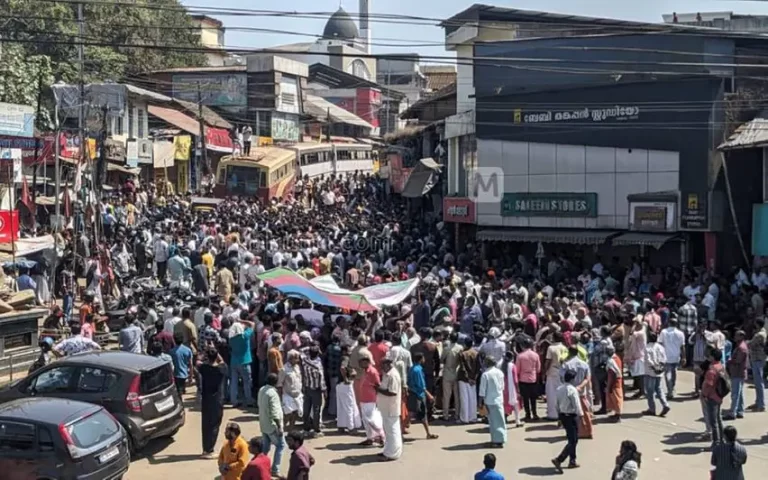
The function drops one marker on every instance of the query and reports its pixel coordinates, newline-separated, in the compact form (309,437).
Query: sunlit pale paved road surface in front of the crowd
(669,449)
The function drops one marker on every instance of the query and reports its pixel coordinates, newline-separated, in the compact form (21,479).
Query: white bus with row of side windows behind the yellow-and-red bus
(316,159)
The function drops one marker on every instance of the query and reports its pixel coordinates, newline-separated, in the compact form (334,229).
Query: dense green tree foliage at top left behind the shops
(50,30)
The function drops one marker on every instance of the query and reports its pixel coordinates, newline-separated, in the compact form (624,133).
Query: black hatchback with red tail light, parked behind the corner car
(138,390)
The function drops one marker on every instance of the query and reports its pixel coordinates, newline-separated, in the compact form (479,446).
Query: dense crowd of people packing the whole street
(546,341)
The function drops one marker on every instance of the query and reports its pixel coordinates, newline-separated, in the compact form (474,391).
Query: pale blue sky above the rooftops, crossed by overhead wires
(402,34)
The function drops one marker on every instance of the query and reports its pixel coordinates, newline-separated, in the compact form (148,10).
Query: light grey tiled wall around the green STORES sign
(612,173)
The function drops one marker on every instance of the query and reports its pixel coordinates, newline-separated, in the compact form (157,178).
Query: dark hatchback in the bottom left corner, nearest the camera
(57,439)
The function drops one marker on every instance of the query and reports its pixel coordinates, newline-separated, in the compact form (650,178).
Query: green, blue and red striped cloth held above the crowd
(290,283)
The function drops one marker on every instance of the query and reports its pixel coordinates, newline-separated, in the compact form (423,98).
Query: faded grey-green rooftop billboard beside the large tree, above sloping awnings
(216,90)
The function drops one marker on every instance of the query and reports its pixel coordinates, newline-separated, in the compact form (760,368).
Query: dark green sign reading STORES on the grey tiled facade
(580,205)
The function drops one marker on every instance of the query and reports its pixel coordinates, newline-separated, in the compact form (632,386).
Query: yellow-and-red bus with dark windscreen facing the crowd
(268,172)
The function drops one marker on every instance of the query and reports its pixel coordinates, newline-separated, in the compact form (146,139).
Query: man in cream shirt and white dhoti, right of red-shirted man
(388,402)
